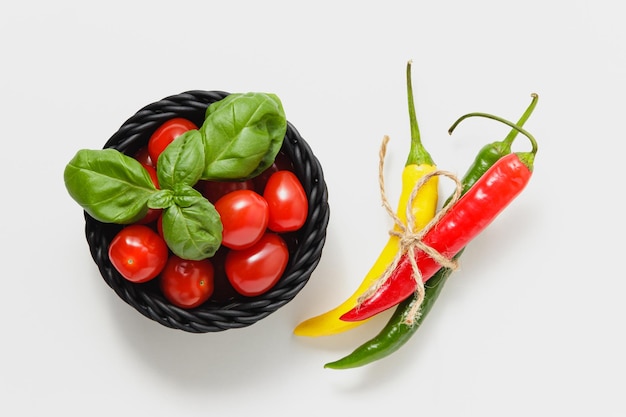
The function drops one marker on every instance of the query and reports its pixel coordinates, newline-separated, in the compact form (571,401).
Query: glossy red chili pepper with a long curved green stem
(469,216)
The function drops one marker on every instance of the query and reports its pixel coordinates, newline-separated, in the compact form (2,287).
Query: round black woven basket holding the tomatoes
(237,312)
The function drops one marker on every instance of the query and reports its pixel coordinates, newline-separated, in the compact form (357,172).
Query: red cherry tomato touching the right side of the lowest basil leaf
(244,216)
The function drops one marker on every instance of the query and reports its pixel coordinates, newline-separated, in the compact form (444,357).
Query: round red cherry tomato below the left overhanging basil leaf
(138,253)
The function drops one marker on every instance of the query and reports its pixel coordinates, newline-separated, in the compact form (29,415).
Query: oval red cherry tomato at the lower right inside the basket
(255,270)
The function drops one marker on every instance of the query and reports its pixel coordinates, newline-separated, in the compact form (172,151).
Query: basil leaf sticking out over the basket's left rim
(110,186)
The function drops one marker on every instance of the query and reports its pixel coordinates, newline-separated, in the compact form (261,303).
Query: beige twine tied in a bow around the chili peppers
(411,240)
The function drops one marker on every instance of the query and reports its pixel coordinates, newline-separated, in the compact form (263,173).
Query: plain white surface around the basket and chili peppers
(532,324)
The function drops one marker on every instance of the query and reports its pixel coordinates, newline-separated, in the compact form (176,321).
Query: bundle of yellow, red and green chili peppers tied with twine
(425,245)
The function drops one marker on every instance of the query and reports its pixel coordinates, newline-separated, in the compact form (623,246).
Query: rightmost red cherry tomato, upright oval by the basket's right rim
(287,202)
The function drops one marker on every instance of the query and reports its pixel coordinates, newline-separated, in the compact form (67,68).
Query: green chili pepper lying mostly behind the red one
(398,331)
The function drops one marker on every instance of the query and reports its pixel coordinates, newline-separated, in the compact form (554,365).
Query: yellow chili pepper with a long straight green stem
(419,163)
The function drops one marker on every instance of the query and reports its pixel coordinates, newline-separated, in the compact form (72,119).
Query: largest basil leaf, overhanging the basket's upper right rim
(242,134)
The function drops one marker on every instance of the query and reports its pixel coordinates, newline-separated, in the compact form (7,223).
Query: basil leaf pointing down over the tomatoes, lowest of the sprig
(193,232)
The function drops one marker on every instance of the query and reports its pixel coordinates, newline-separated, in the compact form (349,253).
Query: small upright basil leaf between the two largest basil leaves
(182,161)
